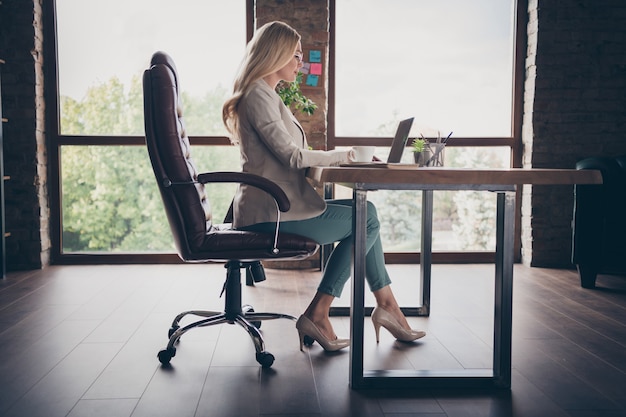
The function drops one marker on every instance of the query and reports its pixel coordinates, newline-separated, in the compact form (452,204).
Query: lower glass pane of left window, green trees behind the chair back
(111,203)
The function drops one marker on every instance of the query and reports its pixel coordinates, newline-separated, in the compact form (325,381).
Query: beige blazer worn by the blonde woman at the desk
(273,145)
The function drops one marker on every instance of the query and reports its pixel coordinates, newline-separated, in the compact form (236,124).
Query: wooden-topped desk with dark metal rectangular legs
(408,177)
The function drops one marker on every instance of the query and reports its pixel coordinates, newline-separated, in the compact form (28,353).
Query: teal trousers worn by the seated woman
(334,225)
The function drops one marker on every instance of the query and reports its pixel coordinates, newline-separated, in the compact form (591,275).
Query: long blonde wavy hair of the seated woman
(270,49)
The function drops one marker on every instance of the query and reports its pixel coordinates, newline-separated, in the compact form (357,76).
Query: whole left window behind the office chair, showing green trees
(107,198)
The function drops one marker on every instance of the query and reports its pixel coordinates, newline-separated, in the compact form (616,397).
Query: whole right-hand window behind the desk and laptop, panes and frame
(451,65)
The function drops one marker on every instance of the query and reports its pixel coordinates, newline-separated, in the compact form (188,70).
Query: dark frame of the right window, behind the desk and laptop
(513,142)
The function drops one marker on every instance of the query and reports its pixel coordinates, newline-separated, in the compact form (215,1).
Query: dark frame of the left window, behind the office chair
(55,140)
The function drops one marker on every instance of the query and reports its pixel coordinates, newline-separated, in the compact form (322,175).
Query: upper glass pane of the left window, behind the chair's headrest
(104,46)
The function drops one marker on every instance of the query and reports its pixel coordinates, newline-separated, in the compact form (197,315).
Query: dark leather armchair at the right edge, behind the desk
(599,224)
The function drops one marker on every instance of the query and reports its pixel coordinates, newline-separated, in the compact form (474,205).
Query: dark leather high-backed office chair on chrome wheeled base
(197,237)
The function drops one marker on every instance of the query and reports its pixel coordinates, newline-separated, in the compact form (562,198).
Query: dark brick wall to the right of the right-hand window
(575,107)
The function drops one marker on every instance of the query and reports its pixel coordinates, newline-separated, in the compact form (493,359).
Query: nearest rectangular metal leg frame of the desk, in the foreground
(500,375)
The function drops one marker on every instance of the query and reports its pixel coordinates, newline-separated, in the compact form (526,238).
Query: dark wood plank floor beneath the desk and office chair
(81,341)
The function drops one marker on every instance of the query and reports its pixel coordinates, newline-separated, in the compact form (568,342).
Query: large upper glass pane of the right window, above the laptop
(446,62)
